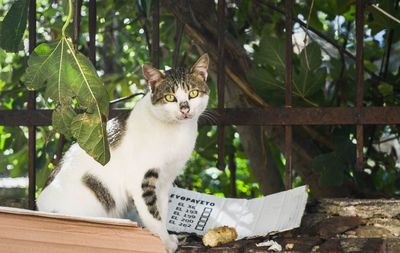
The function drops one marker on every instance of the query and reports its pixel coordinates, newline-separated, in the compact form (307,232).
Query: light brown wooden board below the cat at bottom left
(29,231)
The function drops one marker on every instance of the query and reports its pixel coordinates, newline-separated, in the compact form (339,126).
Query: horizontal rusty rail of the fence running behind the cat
(247,116)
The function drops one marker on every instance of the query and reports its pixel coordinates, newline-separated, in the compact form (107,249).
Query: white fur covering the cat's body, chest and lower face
(156,137)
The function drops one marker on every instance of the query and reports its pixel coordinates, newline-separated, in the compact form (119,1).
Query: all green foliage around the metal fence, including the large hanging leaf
(321,77)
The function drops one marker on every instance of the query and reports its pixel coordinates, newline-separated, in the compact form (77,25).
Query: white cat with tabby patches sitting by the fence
(147,153)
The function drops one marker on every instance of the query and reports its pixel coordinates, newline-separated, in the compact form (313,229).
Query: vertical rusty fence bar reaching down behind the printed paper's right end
(288,90)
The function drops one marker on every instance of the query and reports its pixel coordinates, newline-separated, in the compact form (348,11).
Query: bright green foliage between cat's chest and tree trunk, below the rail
(202,175)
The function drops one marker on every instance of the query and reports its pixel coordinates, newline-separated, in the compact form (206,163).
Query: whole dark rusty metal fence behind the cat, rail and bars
(286,116)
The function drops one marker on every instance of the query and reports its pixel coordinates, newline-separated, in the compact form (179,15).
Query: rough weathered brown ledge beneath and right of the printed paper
(330,225)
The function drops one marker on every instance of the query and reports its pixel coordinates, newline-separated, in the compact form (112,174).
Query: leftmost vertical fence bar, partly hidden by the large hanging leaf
(32,106)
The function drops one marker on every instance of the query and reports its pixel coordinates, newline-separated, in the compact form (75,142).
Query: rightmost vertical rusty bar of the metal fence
(360,79)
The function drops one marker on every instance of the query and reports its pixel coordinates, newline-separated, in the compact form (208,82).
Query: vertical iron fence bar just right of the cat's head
(220,83)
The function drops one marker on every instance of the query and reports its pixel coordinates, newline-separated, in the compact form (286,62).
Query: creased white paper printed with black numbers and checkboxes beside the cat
(194,212)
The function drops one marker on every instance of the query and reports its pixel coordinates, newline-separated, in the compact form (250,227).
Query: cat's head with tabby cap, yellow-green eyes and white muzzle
(181,94)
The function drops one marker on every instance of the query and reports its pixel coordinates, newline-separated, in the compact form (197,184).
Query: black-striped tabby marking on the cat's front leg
(149,192)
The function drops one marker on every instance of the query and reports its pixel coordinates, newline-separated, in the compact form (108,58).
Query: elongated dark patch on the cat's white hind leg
(99,190)
